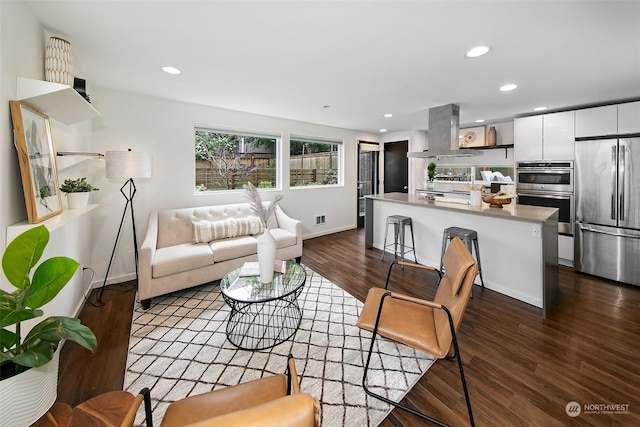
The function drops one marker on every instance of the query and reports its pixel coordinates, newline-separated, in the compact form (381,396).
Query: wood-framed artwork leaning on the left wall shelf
(32,138)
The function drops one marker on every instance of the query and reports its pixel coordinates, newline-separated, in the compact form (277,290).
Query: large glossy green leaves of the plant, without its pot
(32,292)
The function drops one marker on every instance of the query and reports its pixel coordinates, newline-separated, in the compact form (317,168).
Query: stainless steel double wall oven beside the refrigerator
(548,184)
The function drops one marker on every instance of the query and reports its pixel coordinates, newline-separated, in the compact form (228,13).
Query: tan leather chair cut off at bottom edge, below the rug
(270,401)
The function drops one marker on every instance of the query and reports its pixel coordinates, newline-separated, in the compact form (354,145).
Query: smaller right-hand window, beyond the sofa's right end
(314,162)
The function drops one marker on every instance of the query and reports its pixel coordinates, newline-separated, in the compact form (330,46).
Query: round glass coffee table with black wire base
(263,315)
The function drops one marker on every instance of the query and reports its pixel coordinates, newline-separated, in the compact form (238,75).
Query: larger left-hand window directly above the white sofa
(227,161)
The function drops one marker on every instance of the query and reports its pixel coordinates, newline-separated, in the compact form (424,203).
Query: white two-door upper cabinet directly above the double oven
(545,137)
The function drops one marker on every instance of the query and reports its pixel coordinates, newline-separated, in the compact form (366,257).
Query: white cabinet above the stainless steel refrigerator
(608,120)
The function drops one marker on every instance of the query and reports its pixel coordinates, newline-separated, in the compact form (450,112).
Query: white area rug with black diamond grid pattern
(179,348)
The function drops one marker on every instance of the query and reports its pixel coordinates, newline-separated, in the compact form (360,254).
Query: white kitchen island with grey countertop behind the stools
(518,244)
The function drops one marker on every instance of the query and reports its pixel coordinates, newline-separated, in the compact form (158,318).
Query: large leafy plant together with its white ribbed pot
(29,363)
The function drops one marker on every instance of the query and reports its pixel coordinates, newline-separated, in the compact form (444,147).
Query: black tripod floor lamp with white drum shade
(126,165)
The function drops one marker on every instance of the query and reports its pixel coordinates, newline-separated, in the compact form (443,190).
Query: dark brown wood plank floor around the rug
(522,370)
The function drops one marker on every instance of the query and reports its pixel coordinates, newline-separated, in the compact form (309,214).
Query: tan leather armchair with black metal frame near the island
(429,326)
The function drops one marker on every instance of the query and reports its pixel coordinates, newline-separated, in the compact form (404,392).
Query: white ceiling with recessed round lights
(362,58)
